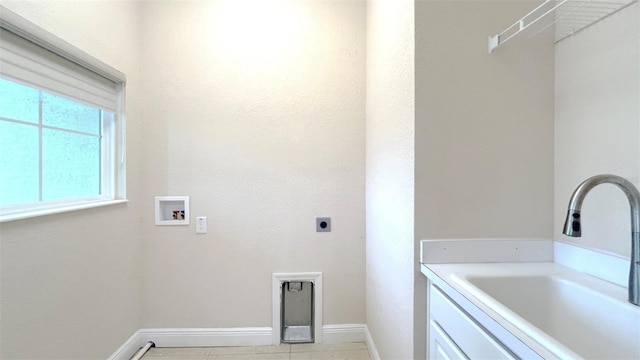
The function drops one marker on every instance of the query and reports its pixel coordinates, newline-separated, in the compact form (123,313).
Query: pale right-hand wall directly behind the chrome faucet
(597,112)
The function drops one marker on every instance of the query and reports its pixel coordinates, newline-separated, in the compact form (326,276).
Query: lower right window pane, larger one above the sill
(70,165)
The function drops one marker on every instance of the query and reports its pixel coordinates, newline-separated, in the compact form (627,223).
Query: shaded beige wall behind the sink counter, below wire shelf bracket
(484,130)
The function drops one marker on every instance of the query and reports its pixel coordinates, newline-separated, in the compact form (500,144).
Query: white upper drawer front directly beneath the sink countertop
(470,337)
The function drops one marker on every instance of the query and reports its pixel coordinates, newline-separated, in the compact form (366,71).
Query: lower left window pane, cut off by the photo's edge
(18,163)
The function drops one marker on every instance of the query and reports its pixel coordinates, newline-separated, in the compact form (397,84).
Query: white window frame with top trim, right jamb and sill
(113,178)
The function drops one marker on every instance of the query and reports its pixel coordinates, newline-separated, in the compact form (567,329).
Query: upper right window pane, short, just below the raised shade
(67,114)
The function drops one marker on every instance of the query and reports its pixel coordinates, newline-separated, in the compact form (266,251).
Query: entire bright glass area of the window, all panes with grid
(50,146)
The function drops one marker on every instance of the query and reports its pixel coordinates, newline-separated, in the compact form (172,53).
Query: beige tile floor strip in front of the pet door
(347,351)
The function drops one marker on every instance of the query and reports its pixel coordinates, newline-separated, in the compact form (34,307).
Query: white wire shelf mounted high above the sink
(566,17)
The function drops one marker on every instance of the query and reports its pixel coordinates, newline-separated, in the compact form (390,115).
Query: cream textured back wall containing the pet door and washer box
(257,113)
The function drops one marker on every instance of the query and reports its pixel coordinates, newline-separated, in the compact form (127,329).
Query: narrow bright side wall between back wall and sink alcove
(390,176)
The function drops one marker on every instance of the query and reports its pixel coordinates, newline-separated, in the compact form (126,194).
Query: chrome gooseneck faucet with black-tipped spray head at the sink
(572,223)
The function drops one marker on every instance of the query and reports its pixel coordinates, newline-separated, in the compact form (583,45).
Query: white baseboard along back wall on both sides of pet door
(248,336)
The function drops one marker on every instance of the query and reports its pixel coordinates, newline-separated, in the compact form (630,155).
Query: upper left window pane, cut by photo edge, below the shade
(18,102)
